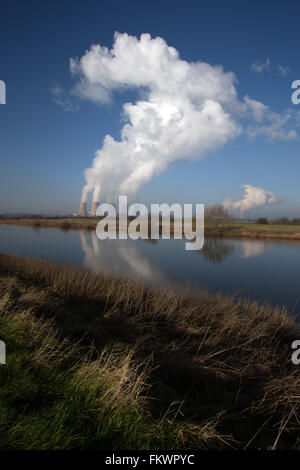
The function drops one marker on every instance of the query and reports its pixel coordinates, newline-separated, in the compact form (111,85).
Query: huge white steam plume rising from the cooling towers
(184,112)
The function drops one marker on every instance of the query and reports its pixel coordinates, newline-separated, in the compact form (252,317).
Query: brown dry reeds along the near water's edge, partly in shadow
(214,361)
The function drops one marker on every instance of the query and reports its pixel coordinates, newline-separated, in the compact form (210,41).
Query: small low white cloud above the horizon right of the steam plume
(253,197)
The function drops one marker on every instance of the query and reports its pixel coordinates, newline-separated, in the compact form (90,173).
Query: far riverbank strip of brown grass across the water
(227,230)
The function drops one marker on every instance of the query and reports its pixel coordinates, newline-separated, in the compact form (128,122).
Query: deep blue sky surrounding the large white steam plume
(44,149)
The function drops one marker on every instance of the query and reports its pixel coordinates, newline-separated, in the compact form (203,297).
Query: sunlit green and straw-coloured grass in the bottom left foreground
(57,394)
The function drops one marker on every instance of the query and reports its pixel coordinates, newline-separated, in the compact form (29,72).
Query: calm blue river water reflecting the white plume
(264,270)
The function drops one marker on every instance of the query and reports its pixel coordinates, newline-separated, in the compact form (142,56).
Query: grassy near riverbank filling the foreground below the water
(94,361)
